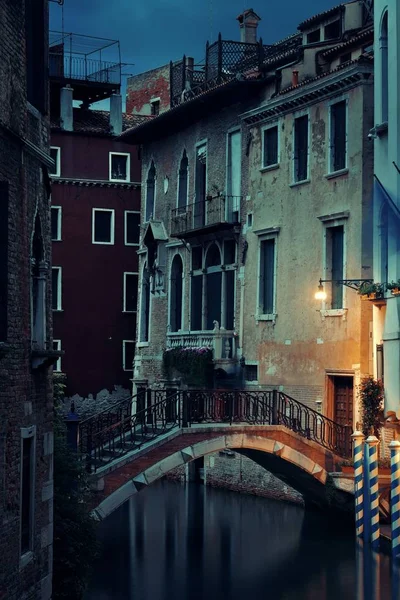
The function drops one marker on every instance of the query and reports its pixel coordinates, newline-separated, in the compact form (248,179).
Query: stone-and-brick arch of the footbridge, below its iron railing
(304,462)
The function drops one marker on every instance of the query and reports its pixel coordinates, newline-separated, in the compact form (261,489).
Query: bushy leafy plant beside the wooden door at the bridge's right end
(371,396)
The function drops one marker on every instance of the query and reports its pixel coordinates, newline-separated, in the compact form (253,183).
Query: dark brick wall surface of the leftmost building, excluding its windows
(25,394)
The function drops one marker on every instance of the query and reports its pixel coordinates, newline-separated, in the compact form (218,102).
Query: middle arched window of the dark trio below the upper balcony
(213,286)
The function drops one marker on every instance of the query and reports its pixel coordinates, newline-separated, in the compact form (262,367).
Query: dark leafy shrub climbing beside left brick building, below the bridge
(75,544)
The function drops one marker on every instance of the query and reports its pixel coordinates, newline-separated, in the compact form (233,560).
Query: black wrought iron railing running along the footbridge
(116,431)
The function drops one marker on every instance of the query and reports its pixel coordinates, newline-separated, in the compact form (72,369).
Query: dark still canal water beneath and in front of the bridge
(175,542)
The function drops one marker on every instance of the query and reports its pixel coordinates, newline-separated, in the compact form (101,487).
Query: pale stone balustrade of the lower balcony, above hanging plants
(222,342)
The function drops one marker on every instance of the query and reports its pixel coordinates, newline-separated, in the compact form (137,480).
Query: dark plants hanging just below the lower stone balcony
(195,364)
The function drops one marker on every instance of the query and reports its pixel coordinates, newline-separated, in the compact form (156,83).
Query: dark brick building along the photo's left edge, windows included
(26,355)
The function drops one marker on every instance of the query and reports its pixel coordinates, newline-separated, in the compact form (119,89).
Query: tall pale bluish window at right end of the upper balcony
(233,176)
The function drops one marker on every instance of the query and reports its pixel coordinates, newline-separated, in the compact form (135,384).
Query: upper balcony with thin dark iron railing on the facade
(213,214)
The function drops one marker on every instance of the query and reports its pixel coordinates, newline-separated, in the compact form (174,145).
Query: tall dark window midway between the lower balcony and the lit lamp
(266,305)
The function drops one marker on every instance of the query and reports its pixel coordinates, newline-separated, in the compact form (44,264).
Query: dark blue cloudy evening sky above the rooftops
(152,32)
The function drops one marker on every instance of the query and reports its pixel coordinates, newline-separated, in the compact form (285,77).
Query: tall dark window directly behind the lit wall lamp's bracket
(335,263)
